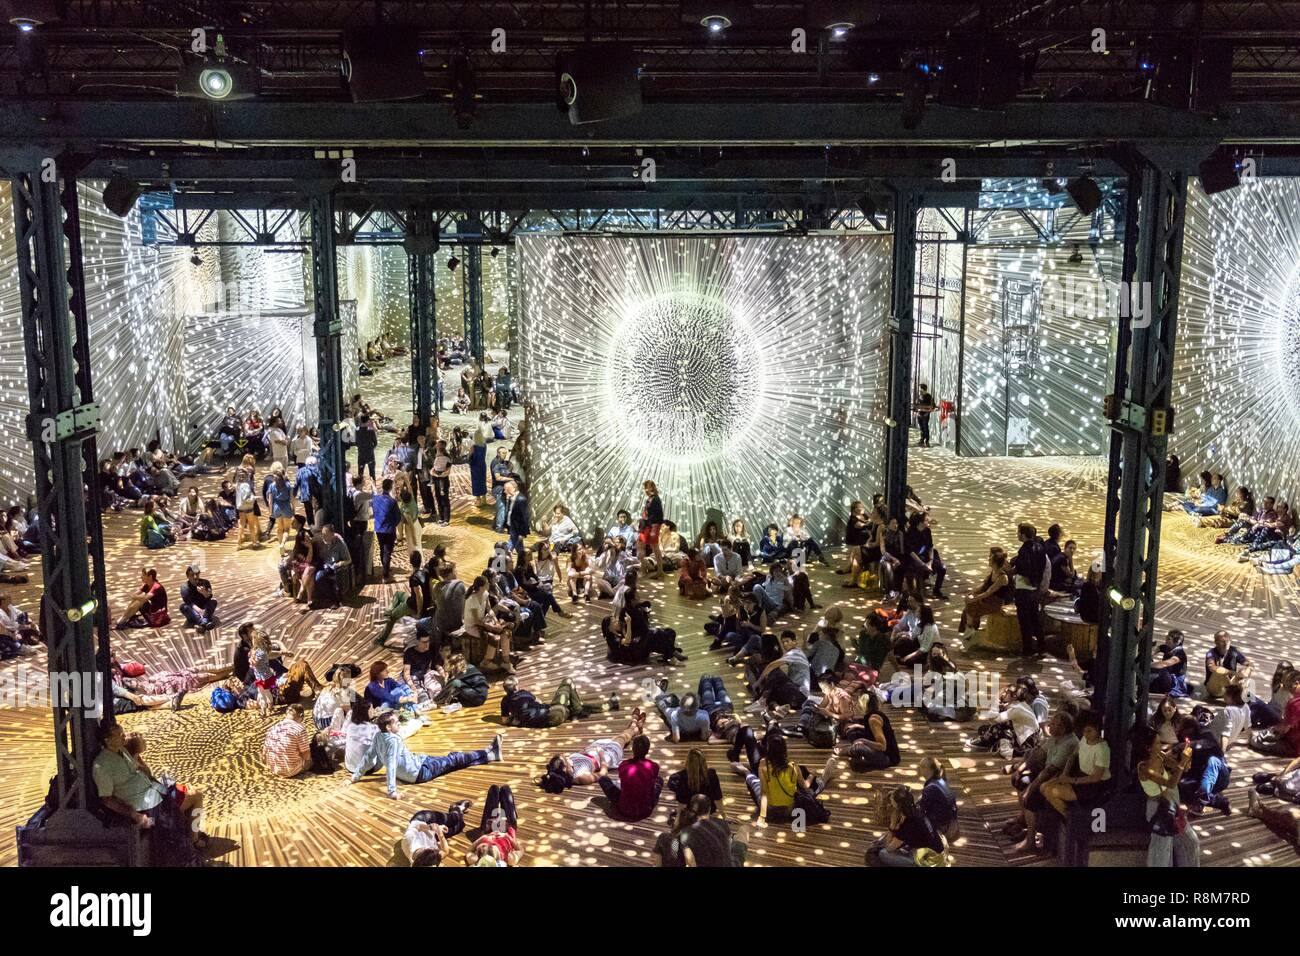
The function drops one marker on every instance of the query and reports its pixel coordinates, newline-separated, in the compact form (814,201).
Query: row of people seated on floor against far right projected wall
(1266,531)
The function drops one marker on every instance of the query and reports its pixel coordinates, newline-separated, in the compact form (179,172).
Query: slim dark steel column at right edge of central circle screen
(902,322)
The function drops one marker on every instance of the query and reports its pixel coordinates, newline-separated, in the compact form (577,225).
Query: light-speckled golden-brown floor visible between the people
(261,820)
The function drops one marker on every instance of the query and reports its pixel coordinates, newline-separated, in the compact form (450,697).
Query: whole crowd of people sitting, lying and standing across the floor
(809,681)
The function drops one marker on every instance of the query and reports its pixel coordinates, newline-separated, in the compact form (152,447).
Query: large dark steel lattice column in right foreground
(1139,410)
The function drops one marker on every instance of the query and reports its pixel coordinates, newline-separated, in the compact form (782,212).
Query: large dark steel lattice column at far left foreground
(62,425)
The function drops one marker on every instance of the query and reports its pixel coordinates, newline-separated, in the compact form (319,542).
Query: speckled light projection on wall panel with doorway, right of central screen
(1038,348)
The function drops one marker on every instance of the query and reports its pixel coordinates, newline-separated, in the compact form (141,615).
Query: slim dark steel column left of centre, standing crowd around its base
(328,331)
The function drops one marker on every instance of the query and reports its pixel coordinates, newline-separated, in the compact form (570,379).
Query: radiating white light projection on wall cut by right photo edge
(1237,370)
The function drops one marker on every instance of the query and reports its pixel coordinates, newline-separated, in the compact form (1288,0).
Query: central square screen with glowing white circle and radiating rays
(744,375)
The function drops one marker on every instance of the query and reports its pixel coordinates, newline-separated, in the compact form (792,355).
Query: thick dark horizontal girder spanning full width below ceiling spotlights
(344,126)
